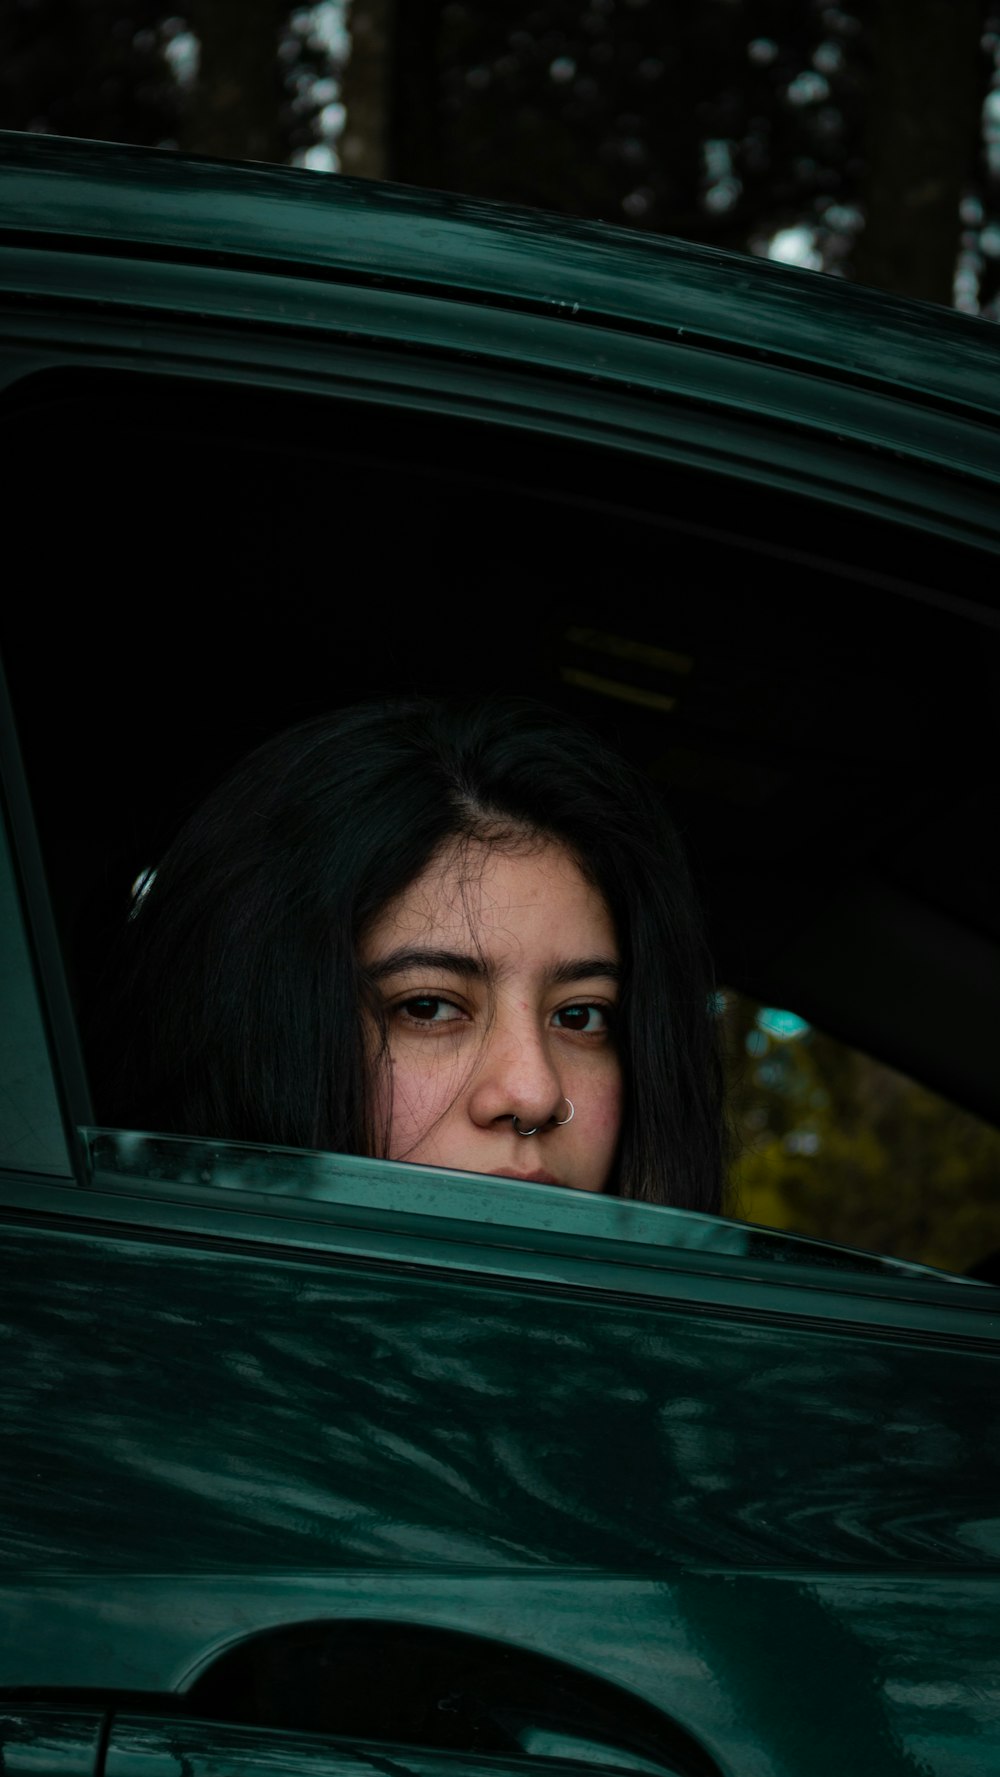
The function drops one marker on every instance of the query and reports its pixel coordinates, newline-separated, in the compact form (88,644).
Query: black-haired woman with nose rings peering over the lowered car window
(454,936)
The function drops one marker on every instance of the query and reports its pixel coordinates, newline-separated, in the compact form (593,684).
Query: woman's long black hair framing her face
(241,1010)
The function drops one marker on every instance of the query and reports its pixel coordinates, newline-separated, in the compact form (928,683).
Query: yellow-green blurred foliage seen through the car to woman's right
(836,1145)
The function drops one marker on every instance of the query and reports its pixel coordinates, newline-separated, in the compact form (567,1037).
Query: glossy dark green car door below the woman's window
(345,1449)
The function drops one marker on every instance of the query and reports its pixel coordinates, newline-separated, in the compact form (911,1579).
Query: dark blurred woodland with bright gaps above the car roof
(765,125)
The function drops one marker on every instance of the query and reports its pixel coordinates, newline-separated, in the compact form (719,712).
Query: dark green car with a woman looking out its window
(324,1465)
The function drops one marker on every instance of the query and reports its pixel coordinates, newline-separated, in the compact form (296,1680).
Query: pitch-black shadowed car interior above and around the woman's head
(811,687)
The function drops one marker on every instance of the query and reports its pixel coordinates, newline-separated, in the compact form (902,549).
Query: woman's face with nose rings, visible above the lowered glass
(498,973)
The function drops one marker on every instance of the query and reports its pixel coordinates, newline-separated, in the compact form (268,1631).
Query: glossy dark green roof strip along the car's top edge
(470,248)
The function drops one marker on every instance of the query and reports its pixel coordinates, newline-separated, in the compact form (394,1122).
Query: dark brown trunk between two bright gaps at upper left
(235,108)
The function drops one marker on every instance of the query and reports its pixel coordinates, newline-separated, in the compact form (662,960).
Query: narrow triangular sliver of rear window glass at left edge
(31,1129)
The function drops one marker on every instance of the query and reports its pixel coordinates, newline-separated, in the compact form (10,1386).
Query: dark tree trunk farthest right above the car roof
(923,143)
